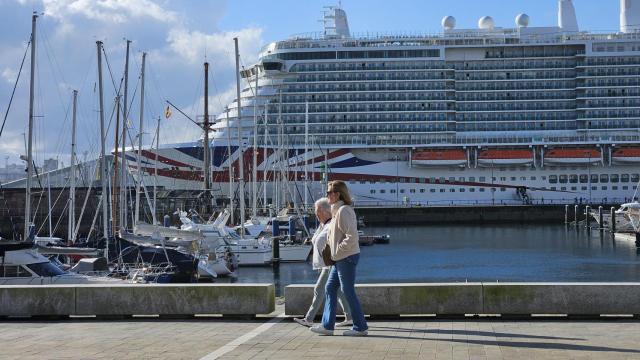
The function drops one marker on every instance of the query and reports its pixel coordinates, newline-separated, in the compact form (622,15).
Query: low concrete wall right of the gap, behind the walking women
(484,298)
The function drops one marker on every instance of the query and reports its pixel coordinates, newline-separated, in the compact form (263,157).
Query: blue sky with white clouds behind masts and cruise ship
(177,36)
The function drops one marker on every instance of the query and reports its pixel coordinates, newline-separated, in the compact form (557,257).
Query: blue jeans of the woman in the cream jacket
(343,275)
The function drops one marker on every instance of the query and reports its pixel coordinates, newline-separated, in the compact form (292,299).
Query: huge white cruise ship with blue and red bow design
(489,115)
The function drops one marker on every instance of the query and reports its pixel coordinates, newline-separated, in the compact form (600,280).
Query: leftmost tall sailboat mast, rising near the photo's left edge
(27,203)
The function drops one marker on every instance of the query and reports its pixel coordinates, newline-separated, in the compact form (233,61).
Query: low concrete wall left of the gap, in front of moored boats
(137,299)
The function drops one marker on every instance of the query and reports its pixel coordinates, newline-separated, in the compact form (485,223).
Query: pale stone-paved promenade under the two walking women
(280,338)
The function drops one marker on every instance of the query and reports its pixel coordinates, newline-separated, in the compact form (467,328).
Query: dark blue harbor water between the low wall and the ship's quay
(459,253)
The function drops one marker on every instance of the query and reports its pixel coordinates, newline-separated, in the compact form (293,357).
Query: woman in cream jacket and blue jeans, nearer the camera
(342,238)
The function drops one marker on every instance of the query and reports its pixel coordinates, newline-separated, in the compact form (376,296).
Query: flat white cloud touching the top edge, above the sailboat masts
(113,11)
